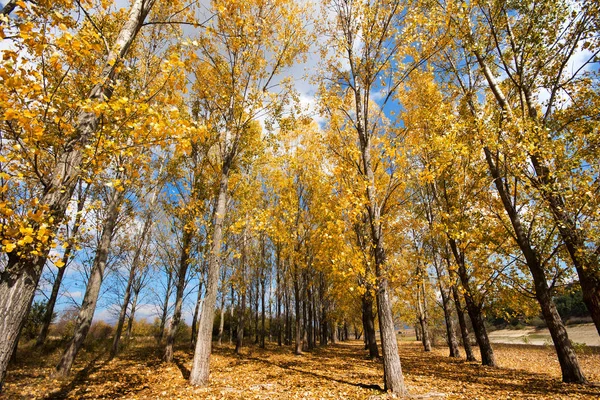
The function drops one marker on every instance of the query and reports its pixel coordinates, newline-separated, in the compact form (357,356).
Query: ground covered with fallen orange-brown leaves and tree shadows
(338,371)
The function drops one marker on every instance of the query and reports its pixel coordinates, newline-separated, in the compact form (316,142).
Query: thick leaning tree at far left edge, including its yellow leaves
(21,275)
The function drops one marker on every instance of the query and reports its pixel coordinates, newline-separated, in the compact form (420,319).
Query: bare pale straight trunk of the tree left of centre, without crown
(201,363)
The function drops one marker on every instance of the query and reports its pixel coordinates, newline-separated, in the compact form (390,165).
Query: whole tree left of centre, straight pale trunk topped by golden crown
(248,45)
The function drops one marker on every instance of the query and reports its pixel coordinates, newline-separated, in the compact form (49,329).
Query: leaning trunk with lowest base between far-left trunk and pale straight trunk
(90,299)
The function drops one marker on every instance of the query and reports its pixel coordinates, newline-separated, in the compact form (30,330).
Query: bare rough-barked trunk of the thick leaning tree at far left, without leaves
(20,278)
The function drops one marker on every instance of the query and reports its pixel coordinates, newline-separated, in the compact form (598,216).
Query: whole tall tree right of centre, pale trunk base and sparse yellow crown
(367,37)
